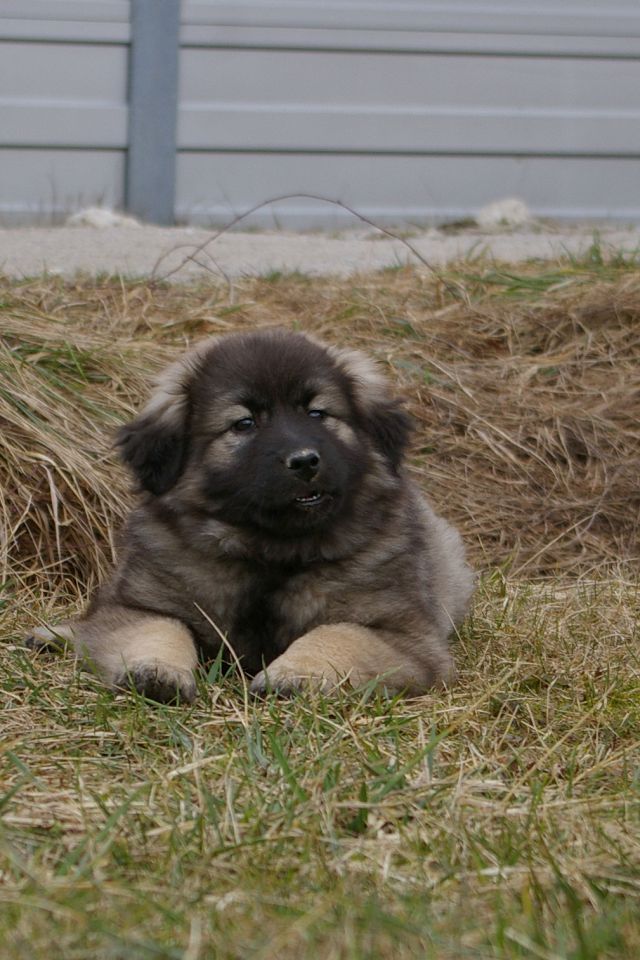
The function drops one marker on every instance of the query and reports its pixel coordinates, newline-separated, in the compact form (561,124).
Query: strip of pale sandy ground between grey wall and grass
(142,250)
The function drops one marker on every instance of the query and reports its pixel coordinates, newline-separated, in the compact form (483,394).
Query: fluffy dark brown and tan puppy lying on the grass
(275,513)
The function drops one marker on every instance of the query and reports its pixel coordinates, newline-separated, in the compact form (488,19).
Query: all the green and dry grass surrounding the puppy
(497,819)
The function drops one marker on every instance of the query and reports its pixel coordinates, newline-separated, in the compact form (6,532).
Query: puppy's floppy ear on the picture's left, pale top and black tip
(155,444)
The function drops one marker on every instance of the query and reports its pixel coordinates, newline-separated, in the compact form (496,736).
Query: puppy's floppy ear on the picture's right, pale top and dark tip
(384,419)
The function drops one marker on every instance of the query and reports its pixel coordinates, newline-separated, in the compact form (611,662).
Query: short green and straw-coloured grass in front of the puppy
(500,819)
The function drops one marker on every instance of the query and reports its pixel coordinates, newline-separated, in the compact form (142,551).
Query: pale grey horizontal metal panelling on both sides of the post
(408,111)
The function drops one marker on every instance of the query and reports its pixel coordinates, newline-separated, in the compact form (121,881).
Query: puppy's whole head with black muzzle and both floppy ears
(268,430)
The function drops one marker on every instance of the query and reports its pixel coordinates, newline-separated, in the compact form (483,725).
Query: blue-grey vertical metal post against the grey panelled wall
(153,108)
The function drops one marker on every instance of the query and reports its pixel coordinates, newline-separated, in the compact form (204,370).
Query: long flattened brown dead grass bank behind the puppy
(525,391)
